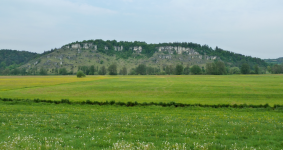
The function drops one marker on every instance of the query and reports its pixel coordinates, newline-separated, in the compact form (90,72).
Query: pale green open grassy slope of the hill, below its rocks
(89,57)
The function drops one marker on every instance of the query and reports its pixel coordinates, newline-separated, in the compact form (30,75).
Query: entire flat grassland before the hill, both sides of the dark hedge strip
(31,125)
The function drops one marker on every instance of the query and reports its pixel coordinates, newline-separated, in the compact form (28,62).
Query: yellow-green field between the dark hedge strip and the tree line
(238,89)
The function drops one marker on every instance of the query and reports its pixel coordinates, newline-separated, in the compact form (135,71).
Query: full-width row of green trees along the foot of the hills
(214,68)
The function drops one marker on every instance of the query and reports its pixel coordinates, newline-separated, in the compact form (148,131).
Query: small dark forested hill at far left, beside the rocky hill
(14,58)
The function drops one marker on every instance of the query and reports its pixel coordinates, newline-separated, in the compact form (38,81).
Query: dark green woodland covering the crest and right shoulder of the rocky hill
(230,58)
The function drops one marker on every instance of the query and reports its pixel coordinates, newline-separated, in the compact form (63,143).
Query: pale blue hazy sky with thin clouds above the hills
(249,27)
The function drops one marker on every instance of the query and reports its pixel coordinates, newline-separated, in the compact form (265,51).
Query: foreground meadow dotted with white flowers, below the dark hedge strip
(50,126)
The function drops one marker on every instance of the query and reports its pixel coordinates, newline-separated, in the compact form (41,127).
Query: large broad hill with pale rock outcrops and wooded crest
(131,54)
